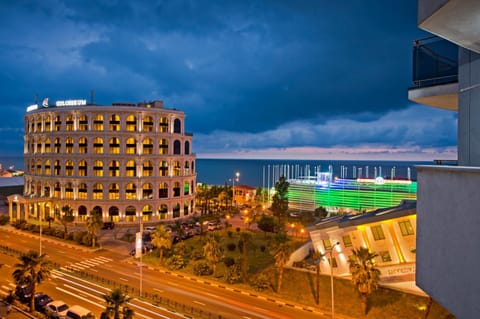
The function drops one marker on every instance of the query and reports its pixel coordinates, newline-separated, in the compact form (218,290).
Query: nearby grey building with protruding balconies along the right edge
(448,221)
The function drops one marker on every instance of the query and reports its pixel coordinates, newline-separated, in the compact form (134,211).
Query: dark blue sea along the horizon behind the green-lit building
(264,173)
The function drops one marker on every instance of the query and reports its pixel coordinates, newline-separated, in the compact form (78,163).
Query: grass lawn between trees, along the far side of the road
(300,286)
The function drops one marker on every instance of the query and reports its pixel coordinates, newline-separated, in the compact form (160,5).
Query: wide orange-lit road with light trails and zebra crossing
(84,275)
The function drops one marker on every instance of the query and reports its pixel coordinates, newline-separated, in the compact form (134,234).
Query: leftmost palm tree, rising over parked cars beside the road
(33,269)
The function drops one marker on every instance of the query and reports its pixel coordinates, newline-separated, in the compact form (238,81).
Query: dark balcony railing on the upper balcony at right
(435,62)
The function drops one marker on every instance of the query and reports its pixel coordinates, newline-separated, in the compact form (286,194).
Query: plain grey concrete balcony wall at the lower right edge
(448,234)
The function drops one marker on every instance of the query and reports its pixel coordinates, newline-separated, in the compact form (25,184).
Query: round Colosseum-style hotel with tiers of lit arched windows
(127,160)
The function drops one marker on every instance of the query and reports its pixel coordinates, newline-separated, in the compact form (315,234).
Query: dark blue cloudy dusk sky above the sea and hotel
(256,79)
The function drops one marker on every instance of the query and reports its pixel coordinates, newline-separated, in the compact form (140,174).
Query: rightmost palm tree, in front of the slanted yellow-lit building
(365,276)
